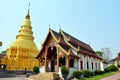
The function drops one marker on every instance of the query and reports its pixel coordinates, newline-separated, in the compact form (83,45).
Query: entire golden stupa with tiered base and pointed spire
(22,52)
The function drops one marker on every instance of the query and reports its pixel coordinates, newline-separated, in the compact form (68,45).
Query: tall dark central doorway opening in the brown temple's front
(52,57)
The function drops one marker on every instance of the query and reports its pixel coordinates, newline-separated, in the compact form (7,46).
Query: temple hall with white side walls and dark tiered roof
(60,48)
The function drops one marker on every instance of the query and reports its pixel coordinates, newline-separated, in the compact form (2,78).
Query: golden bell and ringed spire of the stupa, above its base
(25,36)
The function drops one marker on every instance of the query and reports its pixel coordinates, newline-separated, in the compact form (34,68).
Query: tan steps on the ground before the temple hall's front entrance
(46,76)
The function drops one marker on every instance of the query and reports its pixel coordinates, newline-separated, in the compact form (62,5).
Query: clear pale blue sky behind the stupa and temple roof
(96,22)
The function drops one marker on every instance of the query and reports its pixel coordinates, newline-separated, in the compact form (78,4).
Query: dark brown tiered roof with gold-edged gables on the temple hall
(68,43)
